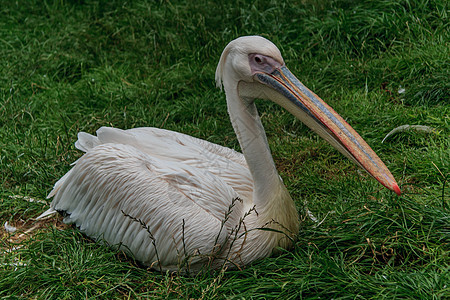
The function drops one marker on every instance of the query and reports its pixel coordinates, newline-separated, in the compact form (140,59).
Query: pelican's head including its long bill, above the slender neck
(252,67)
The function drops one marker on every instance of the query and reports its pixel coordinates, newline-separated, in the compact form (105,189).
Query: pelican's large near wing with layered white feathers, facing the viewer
(112,180)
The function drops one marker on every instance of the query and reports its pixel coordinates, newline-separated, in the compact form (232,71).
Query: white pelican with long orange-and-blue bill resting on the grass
(173,201)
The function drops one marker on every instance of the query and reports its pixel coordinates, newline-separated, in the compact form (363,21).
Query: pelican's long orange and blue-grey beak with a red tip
(290,93)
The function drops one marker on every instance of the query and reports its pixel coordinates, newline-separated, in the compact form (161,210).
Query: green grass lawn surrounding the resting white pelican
(70,66)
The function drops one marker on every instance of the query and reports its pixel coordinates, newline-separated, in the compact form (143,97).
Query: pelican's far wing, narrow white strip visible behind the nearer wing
(173,146)
